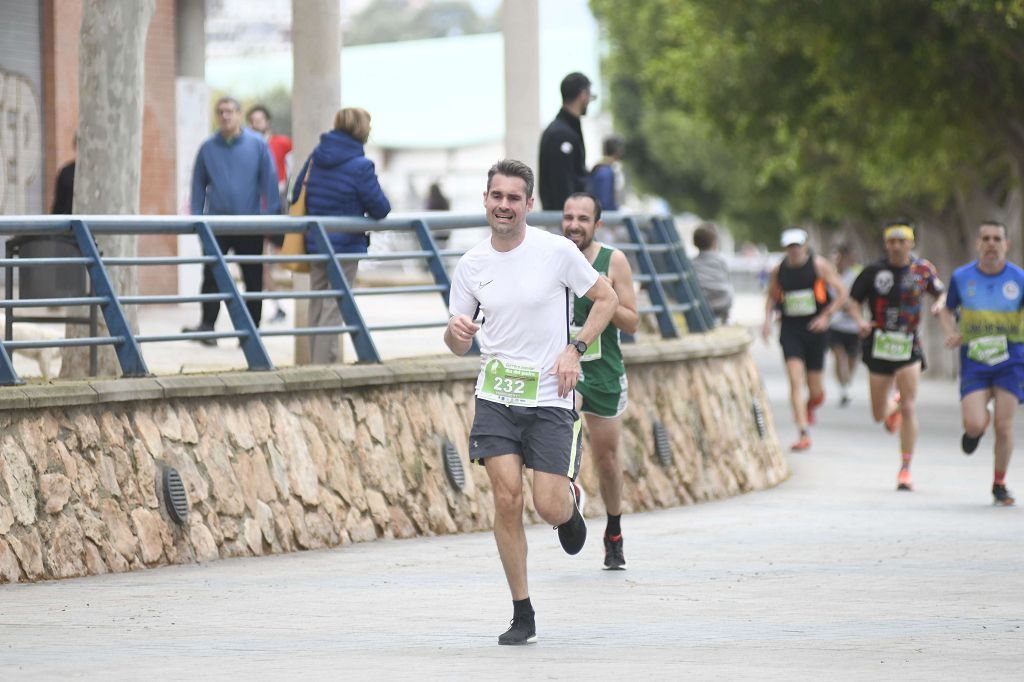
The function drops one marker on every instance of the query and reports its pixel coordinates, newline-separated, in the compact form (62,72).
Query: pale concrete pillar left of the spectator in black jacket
(521,26)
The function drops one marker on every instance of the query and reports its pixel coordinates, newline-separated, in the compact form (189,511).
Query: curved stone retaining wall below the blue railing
(311,458)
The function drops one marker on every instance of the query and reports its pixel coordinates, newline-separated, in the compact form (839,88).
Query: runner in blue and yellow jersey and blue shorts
(989,294)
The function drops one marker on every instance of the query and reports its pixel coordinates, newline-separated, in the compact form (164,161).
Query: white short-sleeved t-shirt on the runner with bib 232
(525,301)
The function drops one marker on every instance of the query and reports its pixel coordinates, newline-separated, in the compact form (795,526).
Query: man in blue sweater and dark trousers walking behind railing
(234,176)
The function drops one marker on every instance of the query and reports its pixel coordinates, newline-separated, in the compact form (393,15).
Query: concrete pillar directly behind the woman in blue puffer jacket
(316,100)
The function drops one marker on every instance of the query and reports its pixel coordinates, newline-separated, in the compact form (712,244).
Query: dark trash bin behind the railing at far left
(53,281)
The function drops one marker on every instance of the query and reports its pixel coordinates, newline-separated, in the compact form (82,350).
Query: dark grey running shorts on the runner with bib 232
(546,439)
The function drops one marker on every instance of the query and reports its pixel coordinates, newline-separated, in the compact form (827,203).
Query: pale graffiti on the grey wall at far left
(21,148)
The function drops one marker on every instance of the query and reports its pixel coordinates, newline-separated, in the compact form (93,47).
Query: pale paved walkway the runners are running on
(831,576)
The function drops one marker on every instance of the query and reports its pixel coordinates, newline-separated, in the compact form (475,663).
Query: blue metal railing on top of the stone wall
(659,260)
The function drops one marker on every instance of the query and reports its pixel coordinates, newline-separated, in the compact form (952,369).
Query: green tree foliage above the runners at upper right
(765,112)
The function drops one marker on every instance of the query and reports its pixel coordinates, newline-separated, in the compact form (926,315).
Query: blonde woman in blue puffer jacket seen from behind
(343,182)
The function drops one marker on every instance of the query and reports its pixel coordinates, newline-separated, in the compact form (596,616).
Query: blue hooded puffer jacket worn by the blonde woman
(344,182)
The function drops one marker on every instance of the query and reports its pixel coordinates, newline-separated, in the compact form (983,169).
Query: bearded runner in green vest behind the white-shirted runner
(603,391)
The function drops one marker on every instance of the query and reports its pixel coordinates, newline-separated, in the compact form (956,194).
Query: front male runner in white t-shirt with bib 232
(516,290)
